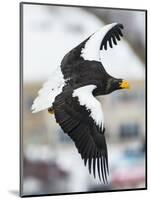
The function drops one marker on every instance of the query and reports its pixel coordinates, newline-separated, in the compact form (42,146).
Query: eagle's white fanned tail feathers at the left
(49,91)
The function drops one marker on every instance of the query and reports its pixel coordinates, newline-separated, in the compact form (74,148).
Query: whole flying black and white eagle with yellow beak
(70,94)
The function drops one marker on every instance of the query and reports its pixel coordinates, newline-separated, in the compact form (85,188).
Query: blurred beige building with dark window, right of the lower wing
(124,113)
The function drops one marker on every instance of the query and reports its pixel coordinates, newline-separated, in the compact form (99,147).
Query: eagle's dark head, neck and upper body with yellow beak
(93,73)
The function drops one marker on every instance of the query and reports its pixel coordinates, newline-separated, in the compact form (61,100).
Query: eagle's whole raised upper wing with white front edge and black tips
(90,48)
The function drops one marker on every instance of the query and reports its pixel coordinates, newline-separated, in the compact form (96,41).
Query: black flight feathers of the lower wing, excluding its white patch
(88,138)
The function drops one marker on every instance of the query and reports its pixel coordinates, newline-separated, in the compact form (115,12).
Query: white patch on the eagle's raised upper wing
(91,50)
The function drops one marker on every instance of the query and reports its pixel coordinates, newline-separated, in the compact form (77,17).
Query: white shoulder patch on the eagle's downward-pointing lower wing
(87,99)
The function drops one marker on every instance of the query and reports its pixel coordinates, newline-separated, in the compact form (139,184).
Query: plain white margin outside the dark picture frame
(9,87)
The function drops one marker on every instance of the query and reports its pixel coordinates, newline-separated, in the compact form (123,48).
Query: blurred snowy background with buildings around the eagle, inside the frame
(51,162)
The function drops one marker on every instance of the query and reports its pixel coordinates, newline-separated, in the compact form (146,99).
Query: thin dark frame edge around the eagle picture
(21,4)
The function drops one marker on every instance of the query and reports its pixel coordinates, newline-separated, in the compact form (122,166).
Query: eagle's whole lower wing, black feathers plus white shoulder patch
(80,115)
